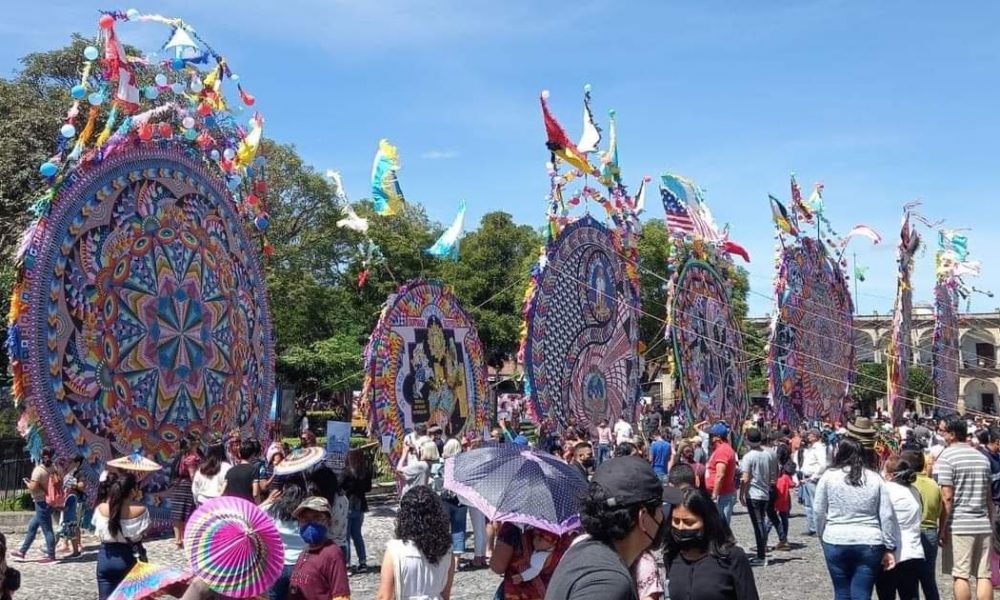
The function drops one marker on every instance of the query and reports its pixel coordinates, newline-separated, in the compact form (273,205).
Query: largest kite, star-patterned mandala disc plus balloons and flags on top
(140,314)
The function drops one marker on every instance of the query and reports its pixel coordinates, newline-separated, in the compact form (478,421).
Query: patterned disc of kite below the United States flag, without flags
(708,346)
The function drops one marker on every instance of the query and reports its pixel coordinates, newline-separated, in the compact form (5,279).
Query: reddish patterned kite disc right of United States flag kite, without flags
(811,354)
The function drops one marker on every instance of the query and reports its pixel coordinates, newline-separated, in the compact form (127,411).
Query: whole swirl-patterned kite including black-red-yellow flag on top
(581,331)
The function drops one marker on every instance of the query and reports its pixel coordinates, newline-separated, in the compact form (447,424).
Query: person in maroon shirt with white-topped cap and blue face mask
(320,572)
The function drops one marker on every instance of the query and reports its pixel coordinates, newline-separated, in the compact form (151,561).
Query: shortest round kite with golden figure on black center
(425,364)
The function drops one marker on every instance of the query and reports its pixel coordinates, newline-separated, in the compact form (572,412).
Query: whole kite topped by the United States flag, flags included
(707,341)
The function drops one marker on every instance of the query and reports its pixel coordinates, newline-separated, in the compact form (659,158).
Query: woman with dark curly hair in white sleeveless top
(417,563)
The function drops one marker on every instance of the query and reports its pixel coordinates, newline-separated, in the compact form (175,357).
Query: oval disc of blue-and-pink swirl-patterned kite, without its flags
(582,329)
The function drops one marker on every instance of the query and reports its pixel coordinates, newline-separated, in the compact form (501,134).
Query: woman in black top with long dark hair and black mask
(702,559)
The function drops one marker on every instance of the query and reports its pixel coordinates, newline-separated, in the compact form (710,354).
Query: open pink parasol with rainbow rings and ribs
(234,547)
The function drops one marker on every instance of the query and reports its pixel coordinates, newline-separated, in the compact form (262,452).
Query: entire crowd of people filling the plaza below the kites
(882,501)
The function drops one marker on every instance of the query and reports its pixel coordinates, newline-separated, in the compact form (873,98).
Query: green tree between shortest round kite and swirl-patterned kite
(490,277)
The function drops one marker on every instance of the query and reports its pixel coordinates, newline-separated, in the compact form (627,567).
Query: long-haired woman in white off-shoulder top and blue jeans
(119,523)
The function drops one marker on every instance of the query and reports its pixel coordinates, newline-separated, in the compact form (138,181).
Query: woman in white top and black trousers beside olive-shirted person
(905,577)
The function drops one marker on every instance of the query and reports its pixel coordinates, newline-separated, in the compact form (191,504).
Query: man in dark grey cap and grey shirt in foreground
(622,514)
